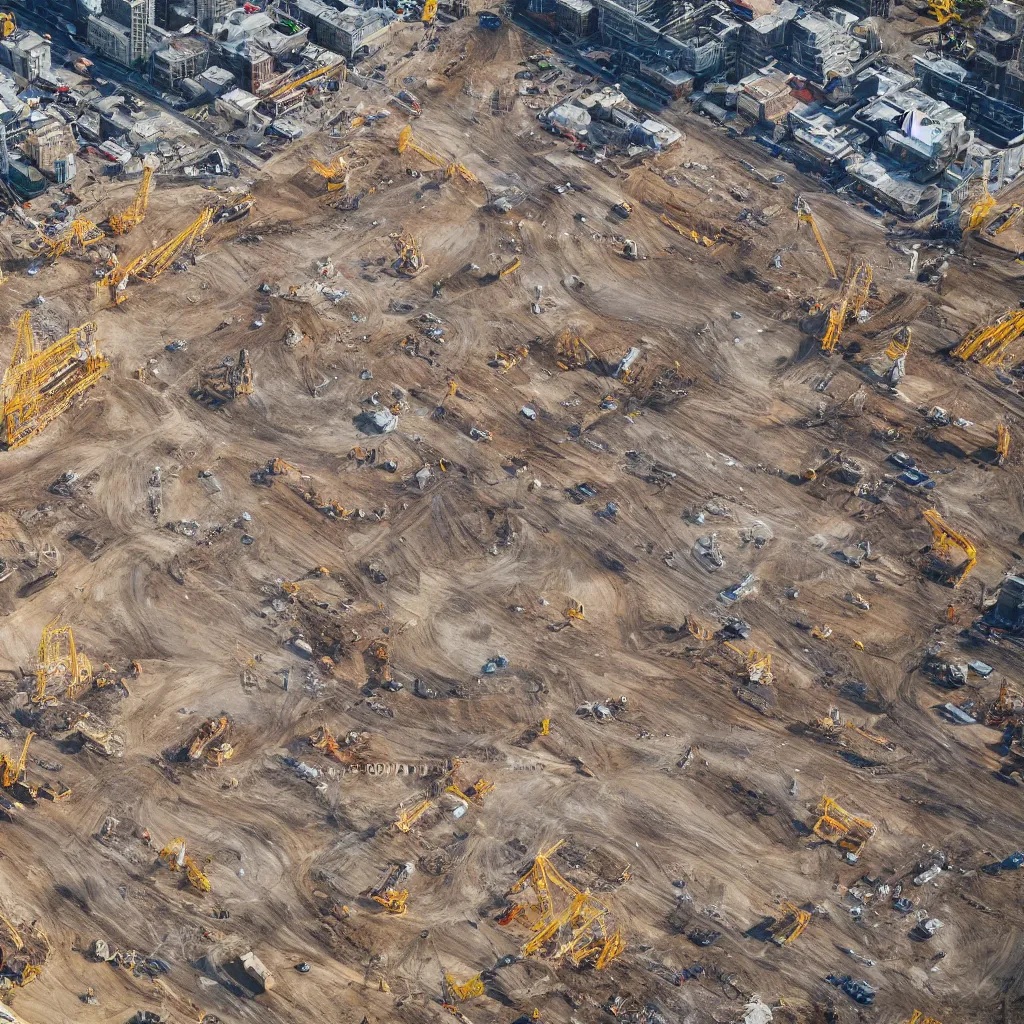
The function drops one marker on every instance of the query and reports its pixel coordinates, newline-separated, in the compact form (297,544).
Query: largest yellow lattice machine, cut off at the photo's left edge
(41,382)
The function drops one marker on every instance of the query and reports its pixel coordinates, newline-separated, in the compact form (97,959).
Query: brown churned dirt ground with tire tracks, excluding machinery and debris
(479,560)
